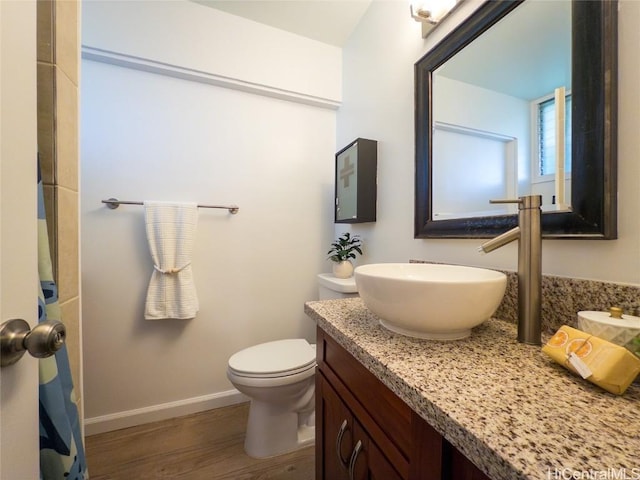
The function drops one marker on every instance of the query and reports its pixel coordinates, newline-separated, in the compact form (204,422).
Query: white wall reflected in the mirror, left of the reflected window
(495,170)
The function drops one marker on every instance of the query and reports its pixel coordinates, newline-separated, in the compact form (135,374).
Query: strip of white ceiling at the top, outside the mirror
(328,21)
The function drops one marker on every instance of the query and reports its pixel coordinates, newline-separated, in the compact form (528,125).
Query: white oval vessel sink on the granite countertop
(441,302)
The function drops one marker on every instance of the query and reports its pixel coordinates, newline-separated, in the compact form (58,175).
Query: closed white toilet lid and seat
(279,357)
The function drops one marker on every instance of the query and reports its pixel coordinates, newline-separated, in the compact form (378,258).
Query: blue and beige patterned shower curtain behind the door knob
(61,447)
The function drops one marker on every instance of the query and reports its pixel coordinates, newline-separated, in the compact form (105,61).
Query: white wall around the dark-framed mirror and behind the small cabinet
(378,103)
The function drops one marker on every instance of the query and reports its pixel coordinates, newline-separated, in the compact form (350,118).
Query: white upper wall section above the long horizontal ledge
(184,34)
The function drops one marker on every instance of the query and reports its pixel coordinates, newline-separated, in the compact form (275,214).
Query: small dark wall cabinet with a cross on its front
(356,182)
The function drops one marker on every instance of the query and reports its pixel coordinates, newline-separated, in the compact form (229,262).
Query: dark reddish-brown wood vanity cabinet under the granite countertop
(364,431)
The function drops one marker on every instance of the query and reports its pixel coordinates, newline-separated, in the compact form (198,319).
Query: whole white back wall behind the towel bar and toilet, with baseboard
(150,136)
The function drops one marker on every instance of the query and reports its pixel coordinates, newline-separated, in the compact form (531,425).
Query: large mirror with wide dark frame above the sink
(589,210)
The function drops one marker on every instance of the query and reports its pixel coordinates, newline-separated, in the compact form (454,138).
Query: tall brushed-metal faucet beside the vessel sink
(529,236)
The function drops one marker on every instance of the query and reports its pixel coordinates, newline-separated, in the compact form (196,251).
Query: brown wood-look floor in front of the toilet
(206,445)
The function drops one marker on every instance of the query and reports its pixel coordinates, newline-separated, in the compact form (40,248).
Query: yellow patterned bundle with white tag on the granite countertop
(603,363)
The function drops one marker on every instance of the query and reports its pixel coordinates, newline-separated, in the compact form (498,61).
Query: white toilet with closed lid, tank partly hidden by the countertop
(279,378)
